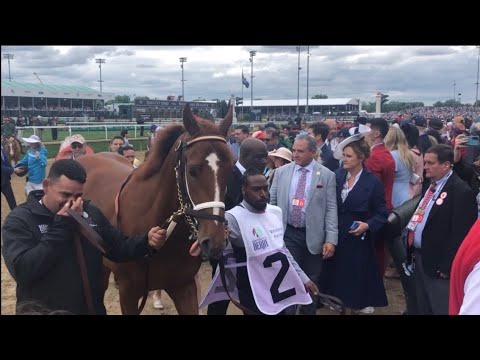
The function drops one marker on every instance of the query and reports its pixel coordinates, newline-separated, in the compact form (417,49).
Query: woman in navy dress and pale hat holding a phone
(352,273)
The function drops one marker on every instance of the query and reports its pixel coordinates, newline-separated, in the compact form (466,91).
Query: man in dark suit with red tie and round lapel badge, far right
(442,220)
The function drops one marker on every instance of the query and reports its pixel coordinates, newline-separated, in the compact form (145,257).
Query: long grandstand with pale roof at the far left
(27,99)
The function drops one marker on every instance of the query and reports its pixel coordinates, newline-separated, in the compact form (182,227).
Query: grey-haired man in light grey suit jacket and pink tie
(315,236)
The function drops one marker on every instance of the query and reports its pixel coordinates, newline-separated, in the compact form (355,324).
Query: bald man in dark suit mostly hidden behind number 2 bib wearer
(253,154)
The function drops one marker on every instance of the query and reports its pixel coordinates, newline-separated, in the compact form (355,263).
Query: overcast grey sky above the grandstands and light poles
(406,73)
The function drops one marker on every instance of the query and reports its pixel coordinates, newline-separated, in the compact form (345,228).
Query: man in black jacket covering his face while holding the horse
(39,249)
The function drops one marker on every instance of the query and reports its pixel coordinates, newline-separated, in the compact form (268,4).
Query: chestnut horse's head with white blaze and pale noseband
(206,167)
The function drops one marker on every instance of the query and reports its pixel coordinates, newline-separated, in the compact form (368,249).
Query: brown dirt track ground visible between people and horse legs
(394,290)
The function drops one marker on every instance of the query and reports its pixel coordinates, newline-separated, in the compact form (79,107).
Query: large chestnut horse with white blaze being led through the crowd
(184,177)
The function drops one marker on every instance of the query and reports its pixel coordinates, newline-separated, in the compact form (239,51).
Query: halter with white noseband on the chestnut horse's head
(183,189)
